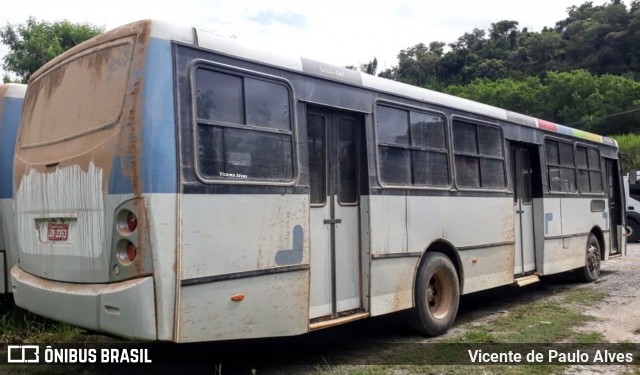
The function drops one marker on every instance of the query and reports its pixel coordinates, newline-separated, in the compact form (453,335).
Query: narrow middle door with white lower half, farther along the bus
(524,260)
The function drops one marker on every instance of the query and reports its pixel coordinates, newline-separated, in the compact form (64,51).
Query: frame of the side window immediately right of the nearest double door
(377,144)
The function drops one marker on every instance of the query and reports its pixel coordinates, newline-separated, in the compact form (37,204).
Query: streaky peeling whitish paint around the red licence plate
(67,195)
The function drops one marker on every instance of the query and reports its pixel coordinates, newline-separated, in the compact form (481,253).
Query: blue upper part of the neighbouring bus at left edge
(9,122)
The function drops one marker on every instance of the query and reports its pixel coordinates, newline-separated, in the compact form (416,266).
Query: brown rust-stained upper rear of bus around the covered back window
(73,150)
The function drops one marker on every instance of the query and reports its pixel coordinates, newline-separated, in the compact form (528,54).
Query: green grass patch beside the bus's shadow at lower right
(536,321)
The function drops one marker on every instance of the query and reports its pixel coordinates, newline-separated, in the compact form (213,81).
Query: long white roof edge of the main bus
(161,30)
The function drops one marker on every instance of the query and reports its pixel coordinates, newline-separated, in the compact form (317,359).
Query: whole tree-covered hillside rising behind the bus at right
(584,71)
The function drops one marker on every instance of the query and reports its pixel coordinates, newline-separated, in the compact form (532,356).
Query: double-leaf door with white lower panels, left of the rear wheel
(333,149)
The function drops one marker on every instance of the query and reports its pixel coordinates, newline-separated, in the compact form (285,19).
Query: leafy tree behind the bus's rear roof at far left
(34,43)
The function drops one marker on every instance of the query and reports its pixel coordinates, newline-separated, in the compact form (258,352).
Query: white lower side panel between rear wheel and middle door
(480,228)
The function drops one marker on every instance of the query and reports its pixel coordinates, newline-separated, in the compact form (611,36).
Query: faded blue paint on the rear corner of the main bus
(158,165)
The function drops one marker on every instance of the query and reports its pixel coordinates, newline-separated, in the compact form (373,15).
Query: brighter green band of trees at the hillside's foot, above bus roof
(606,104)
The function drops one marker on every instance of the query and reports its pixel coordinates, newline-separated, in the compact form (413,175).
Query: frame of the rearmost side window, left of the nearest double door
(229,69)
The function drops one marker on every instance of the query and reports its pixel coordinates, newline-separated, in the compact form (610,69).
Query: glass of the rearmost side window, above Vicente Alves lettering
(244,128)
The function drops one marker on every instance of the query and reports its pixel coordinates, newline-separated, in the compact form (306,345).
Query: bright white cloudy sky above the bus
(340,32)
